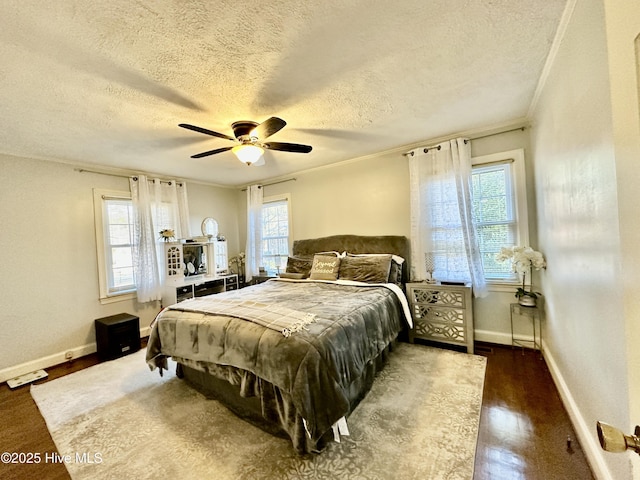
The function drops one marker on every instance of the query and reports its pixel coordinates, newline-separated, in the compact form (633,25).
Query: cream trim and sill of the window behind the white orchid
(519,187)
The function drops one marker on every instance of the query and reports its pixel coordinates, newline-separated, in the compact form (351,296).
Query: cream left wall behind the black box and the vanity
(49,282)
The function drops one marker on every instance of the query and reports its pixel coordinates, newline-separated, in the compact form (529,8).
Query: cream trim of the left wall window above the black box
(99,195)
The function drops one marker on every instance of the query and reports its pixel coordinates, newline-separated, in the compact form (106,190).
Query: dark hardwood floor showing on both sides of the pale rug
(523,428)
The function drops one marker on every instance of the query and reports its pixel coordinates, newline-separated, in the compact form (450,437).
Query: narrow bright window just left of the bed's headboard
(276,230)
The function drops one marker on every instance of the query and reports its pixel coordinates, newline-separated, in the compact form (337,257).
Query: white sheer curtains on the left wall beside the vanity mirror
(157,205)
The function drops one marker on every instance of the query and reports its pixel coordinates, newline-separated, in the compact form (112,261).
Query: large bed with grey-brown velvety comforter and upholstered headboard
(294,355)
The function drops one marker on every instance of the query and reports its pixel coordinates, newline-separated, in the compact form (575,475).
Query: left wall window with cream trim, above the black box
(114,236)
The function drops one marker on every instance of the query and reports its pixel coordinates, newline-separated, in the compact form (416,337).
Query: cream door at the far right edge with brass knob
(623,48)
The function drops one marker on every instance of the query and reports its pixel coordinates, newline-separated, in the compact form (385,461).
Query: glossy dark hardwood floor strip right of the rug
(524,428)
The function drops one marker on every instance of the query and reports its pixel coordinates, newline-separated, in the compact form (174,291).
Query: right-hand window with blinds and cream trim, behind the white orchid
(499,209)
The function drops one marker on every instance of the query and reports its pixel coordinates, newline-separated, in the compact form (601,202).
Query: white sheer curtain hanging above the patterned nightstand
(442,231)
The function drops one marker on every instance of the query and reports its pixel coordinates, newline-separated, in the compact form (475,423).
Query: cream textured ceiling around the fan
(107,82)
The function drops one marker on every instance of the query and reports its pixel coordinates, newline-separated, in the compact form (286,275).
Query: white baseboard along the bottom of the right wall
(585,433)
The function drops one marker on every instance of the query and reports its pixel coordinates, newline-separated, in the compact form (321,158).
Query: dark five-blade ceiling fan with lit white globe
(251,136)
